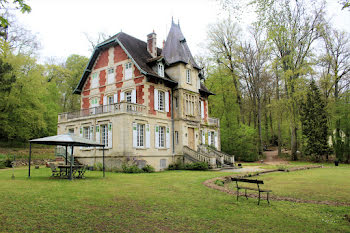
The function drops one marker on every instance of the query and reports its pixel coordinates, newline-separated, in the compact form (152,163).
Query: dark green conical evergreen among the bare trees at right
(314,123)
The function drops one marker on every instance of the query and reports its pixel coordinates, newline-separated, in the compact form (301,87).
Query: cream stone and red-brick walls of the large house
(140,117)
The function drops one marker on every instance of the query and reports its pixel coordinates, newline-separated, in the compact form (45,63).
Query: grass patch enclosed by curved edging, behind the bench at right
(326,184)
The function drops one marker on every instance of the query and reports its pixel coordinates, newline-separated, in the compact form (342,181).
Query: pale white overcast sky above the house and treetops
(61,25)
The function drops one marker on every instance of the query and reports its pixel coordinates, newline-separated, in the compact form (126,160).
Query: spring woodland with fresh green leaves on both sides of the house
(283,81)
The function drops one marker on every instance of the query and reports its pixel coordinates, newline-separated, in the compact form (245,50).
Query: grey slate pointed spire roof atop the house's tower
(176,48)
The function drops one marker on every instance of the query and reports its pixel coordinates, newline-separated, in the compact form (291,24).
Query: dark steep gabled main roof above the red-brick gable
(135,49)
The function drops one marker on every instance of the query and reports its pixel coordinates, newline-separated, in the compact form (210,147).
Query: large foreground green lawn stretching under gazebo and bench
(159,202)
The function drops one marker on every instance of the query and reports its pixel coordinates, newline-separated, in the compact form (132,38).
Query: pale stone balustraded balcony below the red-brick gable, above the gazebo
(119,108)
